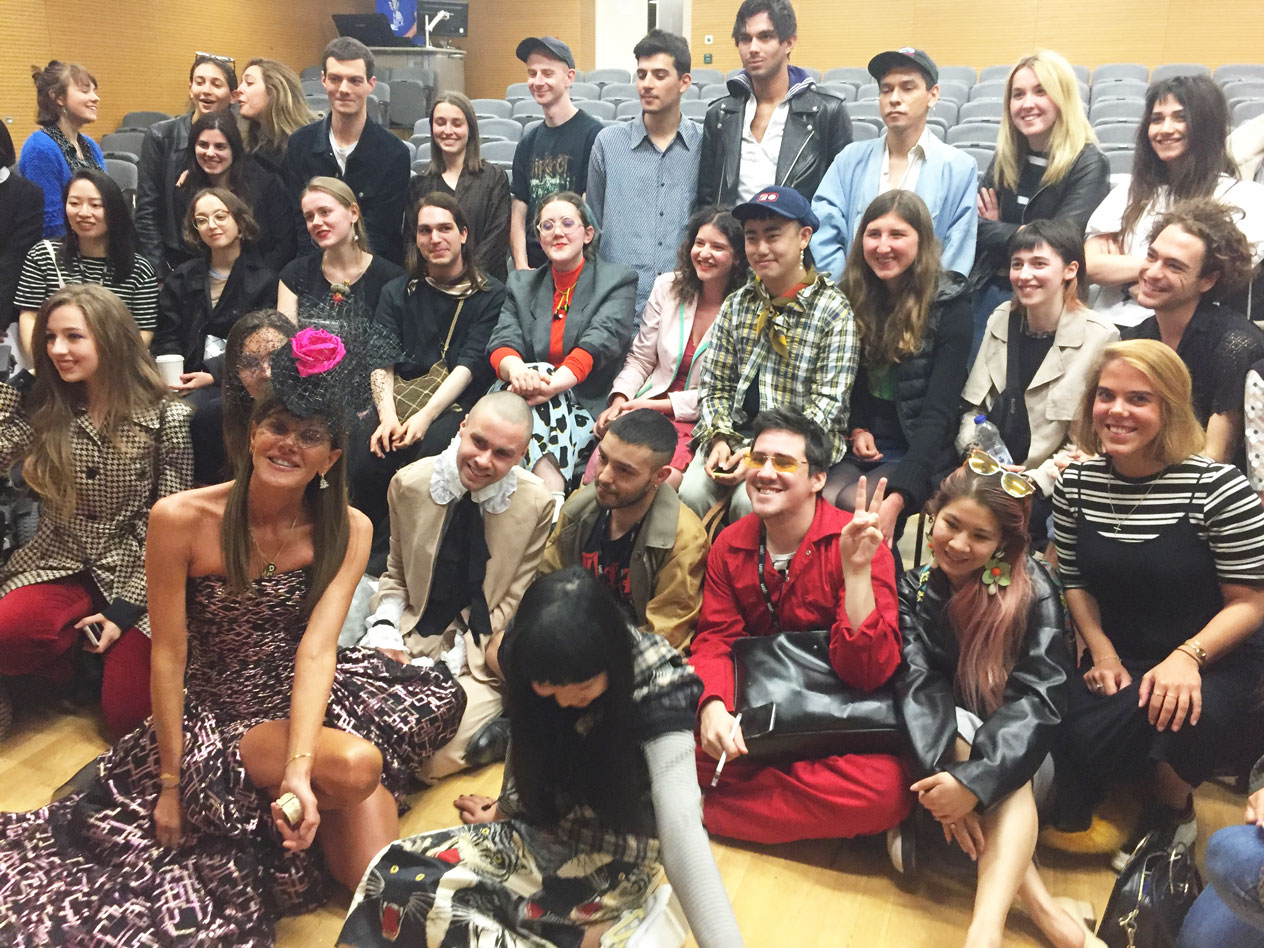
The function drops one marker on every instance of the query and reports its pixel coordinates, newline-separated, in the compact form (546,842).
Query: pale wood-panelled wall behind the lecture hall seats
(141,50)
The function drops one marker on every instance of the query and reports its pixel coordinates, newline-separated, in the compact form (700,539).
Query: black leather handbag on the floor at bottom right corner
(1152,896)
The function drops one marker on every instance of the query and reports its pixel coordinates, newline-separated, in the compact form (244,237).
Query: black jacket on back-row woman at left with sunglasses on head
(162,160)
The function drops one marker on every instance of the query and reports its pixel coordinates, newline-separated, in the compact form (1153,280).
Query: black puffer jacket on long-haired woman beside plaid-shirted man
(927,395)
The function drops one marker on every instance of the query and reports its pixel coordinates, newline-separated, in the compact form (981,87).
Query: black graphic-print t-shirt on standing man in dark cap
(553,160)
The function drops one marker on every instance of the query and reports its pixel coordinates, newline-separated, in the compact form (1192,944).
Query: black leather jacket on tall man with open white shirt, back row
(817,130)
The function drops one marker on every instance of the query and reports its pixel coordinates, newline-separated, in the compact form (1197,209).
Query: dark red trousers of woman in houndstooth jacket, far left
(39,638)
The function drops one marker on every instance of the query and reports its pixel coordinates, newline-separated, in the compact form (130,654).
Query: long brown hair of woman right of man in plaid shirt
(892,327)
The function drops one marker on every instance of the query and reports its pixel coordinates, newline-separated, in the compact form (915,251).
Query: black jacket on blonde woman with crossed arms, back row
(1074,199)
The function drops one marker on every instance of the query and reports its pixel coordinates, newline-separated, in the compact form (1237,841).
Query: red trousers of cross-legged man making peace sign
(855,794)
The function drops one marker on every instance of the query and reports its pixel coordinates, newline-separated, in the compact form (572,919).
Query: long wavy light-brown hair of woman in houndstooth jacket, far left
(126,372)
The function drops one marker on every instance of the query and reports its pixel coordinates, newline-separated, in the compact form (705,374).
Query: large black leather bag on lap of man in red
(817,715)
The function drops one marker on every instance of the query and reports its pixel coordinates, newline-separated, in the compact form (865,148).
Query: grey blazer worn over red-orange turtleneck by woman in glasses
(601,323)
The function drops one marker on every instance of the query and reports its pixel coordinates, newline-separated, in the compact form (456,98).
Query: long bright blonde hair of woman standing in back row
(1071,132)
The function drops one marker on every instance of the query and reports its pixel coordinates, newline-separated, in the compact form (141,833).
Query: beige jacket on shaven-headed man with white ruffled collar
(515,540)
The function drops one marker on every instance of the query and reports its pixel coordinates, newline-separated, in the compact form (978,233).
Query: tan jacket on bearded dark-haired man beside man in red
(669,561)
